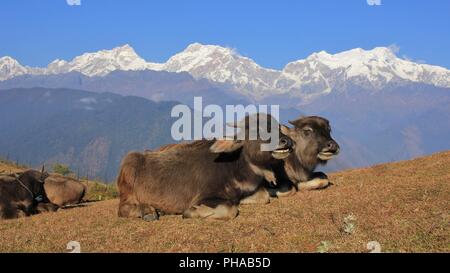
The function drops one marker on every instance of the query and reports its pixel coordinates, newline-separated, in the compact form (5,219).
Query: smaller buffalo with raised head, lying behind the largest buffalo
(313,146)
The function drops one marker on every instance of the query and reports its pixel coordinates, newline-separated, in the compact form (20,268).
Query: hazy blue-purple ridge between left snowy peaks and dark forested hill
(153,85)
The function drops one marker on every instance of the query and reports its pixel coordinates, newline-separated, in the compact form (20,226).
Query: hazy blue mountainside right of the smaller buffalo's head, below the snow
(396,123)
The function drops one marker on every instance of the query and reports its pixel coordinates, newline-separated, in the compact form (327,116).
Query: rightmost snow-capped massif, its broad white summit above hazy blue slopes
(373,69)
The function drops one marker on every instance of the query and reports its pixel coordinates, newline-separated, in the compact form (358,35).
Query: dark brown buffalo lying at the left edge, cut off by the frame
(20,195)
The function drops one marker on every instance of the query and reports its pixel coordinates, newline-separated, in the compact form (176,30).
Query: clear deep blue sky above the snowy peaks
(270,32)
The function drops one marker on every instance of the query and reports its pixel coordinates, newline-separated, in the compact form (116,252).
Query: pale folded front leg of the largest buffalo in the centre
(217,209)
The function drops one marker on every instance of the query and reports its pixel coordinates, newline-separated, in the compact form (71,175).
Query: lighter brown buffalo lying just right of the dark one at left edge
(62,190)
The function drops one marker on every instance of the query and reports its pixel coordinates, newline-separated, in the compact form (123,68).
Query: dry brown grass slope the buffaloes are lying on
(404,206)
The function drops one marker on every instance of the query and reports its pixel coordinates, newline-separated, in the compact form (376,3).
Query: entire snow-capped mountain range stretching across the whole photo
(318,74)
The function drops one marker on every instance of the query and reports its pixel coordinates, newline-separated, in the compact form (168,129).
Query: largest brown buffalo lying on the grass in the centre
(201,179)
